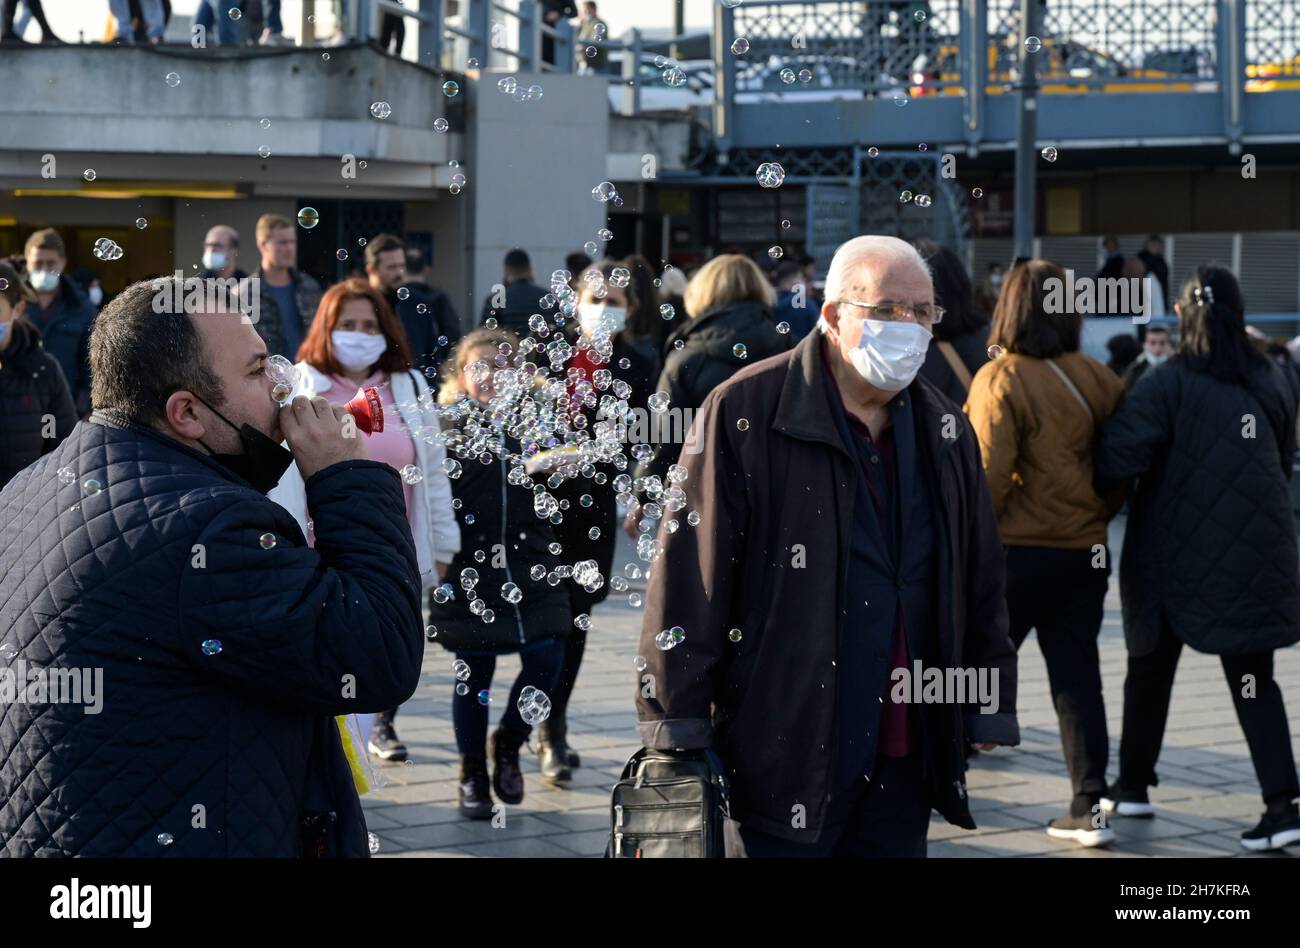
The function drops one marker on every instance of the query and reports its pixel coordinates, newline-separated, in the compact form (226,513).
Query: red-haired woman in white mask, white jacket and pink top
(357,343)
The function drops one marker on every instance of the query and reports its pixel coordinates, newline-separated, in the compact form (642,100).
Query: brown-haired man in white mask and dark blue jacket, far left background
(63,315)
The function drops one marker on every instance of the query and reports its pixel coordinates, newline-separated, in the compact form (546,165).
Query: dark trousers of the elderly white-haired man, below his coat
(887,817)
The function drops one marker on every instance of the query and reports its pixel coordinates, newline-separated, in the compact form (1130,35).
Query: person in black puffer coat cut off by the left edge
(37,409)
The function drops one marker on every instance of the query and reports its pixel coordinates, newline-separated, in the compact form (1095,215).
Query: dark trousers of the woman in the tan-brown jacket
(1061,596)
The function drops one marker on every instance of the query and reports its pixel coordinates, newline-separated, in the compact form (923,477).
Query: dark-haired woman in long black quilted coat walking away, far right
(1210,556)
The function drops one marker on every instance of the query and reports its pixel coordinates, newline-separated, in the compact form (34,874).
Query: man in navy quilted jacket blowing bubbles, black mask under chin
(213,646)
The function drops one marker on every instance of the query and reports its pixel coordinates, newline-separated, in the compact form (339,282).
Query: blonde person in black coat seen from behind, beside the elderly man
(730,304)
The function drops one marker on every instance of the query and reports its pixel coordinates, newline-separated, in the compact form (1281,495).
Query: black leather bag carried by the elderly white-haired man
(669,806)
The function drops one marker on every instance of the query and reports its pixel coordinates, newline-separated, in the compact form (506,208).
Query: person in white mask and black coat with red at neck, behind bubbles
(608,327)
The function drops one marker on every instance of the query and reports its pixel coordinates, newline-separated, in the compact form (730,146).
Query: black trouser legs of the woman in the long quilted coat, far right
(1263,717)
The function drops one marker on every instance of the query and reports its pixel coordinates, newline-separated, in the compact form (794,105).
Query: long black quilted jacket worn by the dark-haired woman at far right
(1211,538)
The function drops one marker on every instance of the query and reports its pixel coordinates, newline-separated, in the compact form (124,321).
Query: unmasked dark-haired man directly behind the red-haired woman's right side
(432,324)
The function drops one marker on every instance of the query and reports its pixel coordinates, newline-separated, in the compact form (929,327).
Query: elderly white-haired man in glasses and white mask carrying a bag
(840,600)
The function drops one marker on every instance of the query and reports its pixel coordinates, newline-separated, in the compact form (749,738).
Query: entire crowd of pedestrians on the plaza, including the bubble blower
(912,470)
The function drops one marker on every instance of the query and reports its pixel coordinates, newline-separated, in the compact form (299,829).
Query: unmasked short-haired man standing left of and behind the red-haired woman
(288,297)
